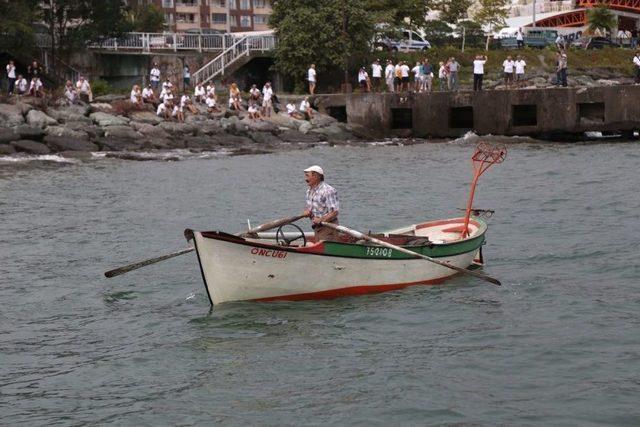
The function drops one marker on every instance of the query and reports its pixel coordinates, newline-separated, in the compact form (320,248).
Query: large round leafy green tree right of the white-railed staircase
(330,34)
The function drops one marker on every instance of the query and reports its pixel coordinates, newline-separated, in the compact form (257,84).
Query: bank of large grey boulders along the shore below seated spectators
(113,125)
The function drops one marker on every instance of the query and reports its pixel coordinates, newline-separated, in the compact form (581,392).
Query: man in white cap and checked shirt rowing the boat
(322,203)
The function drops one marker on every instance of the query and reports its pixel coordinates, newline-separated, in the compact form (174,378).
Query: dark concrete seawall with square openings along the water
(535,112)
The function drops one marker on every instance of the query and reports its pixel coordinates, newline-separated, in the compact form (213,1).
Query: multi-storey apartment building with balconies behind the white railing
(223,15)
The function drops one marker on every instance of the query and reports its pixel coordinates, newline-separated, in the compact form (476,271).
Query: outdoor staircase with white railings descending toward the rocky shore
(237,54)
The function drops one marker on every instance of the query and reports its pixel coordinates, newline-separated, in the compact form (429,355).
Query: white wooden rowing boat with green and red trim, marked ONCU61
(260,269)
